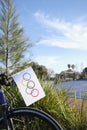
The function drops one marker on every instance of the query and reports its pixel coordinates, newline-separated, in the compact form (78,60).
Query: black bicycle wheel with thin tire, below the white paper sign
(31,119)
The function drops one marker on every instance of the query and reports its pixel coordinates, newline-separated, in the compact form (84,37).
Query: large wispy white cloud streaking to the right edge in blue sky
(74,35)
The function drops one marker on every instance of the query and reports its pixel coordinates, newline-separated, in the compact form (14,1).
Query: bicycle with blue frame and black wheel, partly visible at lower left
(25,118)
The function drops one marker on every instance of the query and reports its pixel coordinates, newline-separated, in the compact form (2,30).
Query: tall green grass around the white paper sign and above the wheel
(57,105)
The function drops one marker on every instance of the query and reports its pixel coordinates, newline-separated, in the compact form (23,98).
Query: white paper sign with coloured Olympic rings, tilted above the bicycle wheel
(29,86)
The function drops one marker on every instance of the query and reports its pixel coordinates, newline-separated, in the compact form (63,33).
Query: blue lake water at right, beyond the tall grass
(76,88)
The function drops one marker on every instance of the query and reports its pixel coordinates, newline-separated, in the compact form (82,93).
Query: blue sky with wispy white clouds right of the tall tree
(58,29)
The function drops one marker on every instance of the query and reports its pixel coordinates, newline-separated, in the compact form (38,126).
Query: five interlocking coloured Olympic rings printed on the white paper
(30,85)
